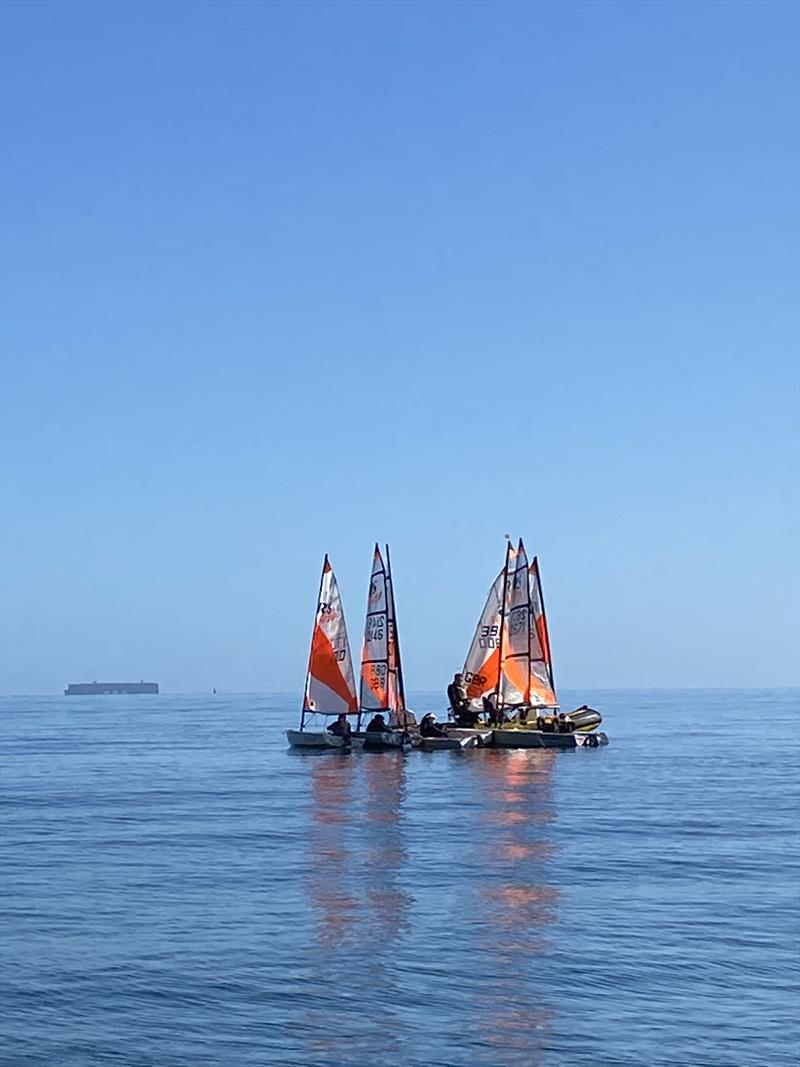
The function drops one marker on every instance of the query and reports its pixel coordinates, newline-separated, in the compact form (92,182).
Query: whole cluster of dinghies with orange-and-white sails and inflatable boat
(507,682)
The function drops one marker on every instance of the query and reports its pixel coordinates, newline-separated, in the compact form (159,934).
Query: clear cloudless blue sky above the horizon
(286,279)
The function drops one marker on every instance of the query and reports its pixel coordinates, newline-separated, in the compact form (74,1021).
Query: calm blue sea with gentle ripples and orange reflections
(180,889)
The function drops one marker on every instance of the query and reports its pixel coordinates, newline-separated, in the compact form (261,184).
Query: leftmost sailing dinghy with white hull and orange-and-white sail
(330,687)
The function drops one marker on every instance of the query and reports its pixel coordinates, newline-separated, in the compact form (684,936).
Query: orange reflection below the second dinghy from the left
(386,853)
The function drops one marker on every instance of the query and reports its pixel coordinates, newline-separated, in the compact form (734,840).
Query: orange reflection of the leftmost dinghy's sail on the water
(330,862)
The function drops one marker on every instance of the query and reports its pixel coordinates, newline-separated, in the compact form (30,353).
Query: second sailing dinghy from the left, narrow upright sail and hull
(382,690)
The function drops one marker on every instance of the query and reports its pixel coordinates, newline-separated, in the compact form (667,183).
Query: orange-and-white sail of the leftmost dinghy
(330,687)
